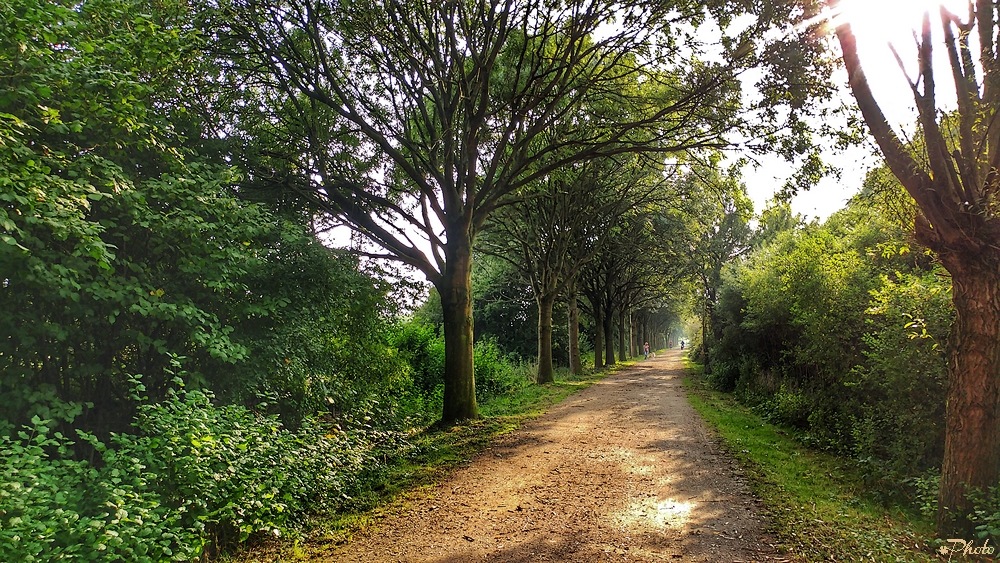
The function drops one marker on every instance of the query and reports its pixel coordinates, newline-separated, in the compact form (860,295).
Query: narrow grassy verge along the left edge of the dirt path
(436,453)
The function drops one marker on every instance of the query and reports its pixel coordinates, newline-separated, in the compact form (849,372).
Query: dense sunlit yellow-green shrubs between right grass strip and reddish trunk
(838,330)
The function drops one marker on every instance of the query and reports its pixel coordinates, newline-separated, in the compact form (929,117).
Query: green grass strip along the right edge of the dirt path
(818,510)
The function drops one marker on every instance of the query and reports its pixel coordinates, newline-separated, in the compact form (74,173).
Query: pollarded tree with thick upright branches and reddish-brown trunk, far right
(955,184)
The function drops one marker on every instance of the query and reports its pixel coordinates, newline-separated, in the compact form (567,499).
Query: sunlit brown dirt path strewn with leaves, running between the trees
(622,471)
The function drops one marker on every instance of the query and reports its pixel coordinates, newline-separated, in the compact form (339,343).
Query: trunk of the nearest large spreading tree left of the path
(456,304)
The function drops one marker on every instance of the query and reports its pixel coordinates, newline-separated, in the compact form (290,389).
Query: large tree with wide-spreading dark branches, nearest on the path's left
(414,120)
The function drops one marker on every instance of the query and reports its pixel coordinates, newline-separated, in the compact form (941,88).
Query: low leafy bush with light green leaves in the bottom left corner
(194,476)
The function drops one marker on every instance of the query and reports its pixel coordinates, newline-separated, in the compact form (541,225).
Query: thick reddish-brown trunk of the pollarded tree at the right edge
(972,427)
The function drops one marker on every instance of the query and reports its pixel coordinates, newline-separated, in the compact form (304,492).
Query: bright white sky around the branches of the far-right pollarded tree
(875,24)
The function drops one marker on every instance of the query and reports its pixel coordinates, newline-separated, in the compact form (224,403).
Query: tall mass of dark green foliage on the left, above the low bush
(121,246)
